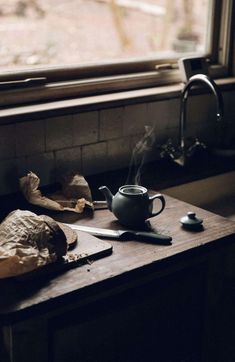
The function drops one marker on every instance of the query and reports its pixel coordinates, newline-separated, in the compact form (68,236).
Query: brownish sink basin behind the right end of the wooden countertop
(216,194)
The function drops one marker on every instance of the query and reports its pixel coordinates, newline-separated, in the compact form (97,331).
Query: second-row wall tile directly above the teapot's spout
(94,158)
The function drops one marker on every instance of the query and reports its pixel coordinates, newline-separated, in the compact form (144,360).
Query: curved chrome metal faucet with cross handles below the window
(180,153)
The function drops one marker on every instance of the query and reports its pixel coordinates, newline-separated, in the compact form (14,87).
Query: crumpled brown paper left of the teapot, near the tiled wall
(74,196)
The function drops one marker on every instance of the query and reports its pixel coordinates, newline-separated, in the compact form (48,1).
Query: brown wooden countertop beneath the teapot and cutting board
(130,262)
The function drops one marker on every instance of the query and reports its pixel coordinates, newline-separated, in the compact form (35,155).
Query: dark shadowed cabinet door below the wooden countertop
(159,321)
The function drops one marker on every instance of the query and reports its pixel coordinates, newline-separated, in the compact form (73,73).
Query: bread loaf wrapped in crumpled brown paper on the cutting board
(29,241)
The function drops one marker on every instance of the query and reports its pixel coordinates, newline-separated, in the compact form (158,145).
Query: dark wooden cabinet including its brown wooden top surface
(144,302)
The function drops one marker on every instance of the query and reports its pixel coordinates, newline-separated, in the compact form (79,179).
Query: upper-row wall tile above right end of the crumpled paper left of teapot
(85,128)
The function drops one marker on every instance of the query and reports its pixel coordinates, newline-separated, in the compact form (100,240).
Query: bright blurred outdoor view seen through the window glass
(61,32)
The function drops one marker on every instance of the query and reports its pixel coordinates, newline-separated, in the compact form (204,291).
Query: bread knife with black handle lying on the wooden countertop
(124,235)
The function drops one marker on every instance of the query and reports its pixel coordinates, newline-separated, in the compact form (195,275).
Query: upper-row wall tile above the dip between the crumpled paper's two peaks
(59,133)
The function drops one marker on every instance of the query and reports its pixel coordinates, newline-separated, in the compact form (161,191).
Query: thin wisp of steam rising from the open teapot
(143,146)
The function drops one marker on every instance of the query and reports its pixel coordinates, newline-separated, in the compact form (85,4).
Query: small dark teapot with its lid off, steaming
(132,205)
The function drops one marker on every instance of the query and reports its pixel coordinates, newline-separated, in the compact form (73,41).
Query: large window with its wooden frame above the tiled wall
(65,48)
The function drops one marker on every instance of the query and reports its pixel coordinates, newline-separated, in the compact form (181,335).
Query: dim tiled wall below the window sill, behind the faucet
(93,142)
